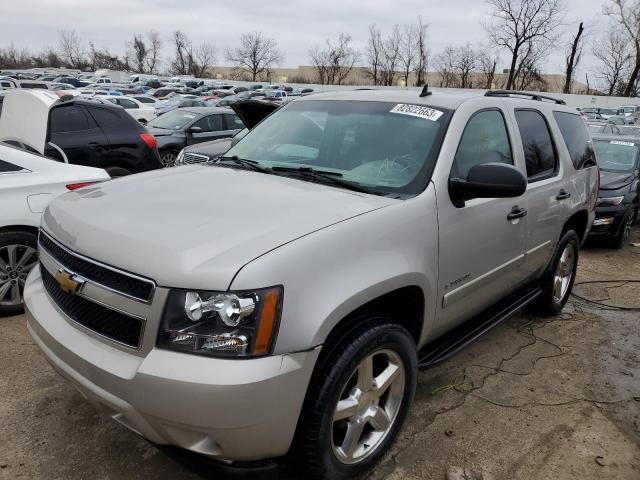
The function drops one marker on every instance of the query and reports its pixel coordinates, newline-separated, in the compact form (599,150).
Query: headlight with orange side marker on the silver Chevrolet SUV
(229,324)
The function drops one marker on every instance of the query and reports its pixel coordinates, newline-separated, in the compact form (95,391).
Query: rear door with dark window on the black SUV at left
(77,134)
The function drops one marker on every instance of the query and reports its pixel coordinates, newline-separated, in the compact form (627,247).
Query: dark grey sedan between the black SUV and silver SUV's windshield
(190,125)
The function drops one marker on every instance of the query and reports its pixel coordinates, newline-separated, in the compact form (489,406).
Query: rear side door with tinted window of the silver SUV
(546,195)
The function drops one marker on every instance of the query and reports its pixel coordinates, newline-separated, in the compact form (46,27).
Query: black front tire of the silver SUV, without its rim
(314,443)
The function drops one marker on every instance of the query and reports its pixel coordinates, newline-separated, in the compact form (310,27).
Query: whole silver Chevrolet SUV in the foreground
(306,275)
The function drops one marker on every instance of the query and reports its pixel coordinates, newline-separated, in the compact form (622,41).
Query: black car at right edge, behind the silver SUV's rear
(619,197)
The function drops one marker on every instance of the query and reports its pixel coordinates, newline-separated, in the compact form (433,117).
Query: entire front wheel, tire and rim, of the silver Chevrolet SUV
(358,400)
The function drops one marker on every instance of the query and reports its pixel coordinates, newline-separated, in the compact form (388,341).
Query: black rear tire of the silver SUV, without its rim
(548,304)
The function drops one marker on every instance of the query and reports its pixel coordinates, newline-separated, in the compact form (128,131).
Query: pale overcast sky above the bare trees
(296,25)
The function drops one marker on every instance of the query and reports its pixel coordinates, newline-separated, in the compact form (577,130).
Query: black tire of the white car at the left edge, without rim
(23,239)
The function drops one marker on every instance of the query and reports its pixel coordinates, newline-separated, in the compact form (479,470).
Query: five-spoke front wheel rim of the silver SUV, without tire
(367,407)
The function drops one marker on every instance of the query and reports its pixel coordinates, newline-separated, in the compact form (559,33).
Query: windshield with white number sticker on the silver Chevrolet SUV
(374,144)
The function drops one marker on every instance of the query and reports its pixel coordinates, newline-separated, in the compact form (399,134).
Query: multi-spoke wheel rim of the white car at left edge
(16,261)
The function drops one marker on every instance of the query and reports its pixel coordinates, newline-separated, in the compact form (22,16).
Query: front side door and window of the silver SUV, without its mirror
(481,250)
